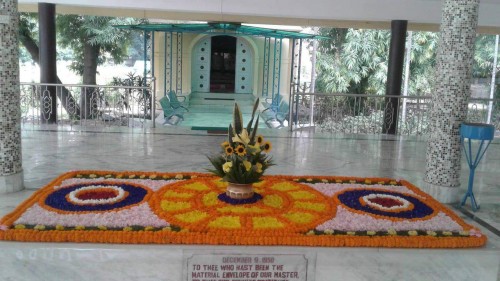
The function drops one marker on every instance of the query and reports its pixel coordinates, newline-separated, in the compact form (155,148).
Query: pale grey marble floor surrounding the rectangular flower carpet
(48,153)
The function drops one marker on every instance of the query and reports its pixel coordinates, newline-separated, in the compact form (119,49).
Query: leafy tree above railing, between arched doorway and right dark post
(354,61)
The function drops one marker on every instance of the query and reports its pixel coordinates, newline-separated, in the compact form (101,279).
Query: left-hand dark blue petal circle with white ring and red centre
(97,196)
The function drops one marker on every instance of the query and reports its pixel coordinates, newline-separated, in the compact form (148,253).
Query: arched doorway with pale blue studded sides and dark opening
(222,64)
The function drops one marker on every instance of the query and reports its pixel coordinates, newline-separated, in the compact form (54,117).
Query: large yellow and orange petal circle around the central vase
(285,207)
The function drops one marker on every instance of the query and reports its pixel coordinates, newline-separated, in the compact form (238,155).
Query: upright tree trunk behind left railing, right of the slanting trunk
(90,95)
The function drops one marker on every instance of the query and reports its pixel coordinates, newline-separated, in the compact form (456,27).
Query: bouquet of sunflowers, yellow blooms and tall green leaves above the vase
(244,156)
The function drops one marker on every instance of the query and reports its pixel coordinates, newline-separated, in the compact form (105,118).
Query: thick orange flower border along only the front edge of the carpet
(165,237)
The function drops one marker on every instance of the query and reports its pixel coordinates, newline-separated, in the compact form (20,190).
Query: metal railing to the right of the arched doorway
(373,114)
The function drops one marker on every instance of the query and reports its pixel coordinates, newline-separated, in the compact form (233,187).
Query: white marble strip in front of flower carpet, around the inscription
(43,261)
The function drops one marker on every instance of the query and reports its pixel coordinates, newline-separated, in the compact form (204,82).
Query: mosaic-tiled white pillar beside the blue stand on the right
(450,97)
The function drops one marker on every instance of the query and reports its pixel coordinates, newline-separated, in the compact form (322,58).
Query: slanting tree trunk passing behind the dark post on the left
(67,100)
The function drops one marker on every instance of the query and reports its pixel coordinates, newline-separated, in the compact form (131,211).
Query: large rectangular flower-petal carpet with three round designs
(185,208)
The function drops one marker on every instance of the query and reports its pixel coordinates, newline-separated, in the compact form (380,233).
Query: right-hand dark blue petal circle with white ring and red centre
(394,205)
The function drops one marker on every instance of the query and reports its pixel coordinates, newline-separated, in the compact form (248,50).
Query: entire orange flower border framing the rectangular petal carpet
(170,237)
